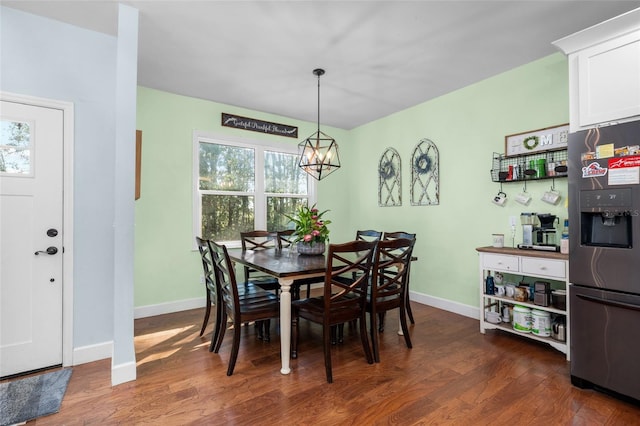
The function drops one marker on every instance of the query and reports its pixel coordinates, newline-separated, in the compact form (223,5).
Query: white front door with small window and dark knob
(31,252)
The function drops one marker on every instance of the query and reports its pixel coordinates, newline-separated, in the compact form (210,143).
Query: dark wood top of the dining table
(280,263)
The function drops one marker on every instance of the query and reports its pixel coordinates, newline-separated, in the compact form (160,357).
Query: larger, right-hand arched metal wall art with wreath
(425,186)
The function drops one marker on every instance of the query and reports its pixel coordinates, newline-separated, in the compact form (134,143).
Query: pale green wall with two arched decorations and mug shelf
(467,126)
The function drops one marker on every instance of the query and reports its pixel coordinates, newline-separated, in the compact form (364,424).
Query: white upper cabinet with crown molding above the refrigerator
(604,72)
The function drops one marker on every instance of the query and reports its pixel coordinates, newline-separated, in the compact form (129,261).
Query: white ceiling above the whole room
(380,57)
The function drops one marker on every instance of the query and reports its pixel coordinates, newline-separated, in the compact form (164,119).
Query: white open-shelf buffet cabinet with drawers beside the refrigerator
(524,263)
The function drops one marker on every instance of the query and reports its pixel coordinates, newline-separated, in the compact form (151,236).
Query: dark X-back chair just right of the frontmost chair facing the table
(389,286)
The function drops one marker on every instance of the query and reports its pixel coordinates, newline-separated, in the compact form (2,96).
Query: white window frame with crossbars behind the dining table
(260,197)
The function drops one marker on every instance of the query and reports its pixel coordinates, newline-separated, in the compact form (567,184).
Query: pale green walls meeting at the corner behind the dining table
(467,125)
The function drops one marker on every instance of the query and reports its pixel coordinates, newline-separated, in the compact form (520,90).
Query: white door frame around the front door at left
(67,211)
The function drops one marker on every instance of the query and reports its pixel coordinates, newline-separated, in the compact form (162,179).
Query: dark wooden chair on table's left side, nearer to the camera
(257,305)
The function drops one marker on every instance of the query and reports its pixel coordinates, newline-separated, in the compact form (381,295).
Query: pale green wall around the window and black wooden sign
(167,265)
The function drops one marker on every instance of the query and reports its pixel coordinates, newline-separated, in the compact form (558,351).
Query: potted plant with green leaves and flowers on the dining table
(311,230)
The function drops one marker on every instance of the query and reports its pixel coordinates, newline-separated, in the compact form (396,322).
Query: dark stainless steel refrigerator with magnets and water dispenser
(604,258)
